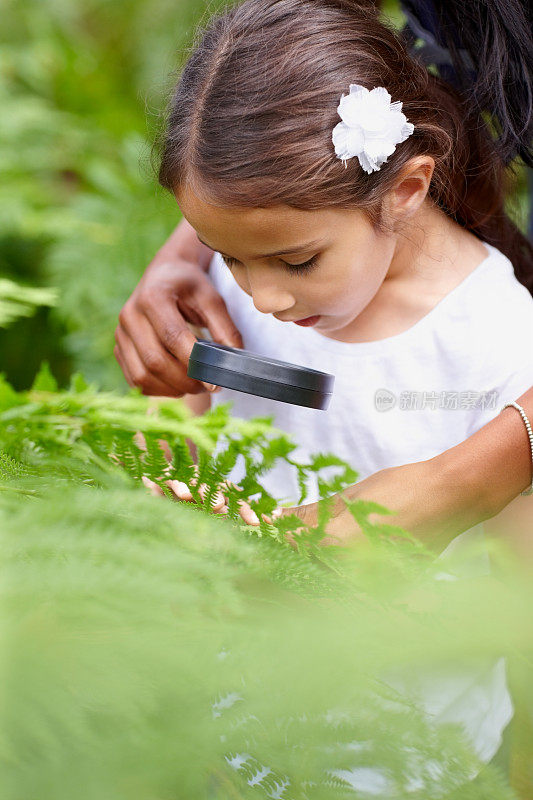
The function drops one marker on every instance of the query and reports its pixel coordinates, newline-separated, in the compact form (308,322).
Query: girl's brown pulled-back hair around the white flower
(251,117)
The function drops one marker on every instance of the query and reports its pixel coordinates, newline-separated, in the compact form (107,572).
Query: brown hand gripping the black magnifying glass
(153,340)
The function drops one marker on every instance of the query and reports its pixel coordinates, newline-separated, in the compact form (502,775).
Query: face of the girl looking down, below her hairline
(297,264)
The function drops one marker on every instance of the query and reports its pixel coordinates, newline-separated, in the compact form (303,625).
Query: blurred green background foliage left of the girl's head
(82,86)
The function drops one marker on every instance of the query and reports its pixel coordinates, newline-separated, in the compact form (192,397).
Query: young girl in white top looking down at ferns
(380,230)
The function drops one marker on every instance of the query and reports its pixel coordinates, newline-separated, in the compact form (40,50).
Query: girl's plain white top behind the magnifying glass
(404,399)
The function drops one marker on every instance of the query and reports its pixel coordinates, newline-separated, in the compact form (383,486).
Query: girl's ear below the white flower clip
(410,189)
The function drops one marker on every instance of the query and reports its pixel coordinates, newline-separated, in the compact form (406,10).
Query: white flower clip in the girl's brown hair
(371,127)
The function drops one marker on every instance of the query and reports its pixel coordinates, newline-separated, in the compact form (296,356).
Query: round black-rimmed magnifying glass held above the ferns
(254,374)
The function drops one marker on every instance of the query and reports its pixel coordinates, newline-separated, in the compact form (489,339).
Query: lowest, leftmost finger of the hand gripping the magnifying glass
(157,360)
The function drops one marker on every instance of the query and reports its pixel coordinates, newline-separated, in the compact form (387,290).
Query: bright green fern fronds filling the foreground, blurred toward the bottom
(154,649)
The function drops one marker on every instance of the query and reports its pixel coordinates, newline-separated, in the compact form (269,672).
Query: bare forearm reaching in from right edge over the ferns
(450,493)
